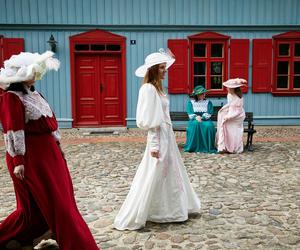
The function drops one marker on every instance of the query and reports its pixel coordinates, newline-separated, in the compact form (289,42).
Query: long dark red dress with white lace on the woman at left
(45,198)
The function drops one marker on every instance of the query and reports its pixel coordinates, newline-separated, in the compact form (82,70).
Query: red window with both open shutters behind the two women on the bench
(203,59)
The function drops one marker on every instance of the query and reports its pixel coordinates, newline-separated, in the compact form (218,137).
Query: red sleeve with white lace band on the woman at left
(13,123)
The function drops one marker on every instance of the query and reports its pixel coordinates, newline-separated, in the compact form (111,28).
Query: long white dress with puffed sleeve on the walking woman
(160,191)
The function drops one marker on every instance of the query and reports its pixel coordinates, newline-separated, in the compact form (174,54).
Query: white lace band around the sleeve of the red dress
(15,142)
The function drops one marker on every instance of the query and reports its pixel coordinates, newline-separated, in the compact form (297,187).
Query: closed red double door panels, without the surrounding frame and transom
(98,90)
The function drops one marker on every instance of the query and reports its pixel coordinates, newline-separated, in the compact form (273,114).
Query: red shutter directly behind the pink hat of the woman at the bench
(239,60)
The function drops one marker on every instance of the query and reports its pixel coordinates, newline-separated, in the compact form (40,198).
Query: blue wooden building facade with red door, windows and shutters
(100,43)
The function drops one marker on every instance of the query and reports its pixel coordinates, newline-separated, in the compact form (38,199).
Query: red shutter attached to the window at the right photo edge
(262,65)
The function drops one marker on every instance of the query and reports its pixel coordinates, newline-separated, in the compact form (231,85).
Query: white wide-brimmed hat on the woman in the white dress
(154,59)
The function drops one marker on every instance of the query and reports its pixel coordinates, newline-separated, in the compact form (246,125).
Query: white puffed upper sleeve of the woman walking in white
(149,112)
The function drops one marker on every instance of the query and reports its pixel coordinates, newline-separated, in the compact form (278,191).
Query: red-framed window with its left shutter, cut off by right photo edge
(276,64)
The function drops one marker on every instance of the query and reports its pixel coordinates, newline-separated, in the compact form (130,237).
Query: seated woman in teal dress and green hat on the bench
(201,132)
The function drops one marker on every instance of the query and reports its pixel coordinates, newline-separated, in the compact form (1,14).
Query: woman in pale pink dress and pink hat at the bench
(231,116)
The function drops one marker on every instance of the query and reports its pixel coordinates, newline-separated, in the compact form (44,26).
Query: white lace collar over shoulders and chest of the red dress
(35,105)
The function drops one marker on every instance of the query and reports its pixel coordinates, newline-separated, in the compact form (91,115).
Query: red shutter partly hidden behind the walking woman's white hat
(178,72)
